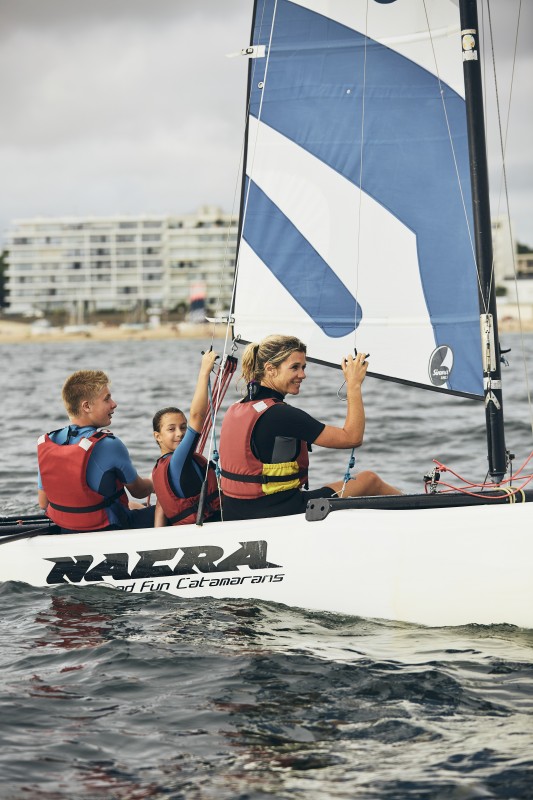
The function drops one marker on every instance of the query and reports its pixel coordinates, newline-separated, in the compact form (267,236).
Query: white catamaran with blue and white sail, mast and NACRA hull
(365,170)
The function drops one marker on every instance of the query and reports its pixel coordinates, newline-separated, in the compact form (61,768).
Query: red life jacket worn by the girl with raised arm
(183,510)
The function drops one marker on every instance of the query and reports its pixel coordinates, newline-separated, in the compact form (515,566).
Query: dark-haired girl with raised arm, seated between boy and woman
(179,472)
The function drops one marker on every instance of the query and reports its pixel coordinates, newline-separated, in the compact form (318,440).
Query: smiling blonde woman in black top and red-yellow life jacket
(264,442)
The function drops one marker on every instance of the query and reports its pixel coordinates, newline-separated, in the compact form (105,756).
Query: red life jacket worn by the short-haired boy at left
(72,503)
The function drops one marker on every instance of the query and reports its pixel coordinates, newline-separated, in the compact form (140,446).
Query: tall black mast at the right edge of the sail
(483,241)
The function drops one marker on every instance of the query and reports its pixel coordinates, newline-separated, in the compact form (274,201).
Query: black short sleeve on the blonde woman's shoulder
(284,420)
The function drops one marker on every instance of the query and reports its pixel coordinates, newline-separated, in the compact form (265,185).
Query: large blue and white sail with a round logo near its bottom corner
(356,206)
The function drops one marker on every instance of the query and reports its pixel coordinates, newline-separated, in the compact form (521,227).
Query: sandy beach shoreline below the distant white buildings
(23,333)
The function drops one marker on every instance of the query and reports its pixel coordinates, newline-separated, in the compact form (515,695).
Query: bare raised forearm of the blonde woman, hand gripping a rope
(352,432)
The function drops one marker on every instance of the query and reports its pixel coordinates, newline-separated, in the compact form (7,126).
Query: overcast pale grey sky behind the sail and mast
(131,106)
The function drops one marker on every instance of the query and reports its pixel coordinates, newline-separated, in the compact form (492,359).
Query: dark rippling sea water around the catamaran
(104,695)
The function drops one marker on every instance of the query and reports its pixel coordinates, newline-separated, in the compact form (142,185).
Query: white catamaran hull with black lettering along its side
(437,567)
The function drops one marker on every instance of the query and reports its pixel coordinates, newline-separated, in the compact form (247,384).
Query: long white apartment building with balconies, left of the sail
(120,262)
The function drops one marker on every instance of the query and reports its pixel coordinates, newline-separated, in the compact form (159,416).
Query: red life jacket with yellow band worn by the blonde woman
(243,475)
